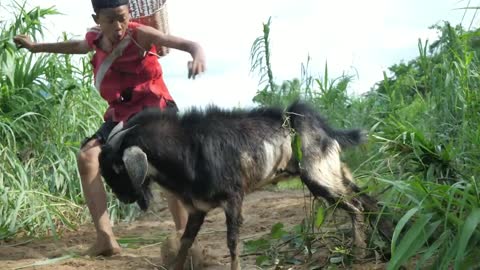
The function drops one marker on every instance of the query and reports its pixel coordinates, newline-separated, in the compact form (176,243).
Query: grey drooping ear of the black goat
(136,163)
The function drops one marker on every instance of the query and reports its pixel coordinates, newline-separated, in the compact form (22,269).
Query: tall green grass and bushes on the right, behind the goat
(421,158)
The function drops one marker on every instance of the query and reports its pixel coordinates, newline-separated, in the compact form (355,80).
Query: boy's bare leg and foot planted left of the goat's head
(96,198)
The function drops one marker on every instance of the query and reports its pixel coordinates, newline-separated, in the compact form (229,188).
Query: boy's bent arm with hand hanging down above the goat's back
(151,36)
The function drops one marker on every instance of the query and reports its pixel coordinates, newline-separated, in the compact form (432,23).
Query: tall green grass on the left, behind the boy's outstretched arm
(47,107)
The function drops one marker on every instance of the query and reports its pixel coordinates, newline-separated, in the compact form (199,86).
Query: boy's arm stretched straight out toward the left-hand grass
(65,47)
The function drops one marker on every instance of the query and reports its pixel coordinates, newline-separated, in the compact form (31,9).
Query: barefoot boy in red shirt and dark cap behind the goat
(129,77)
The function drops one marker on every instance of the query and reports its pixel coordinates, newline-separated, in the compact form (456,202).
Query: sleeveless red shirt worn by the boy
(140,75)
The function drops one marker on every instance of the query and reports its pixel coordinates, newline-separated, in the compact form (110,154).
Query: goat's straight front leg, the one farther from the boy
(233,214)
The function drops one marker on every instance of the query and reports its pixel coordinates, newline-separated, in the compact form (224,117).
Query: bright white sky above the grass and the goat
(358,38)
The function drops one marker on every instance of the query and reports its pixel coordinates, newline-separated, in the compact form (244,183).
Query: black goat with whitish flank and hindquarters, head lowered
(212,158)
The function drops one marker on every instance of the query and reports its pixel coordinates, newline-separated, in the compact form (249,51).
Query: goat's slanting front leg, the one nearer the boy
(194,223)
